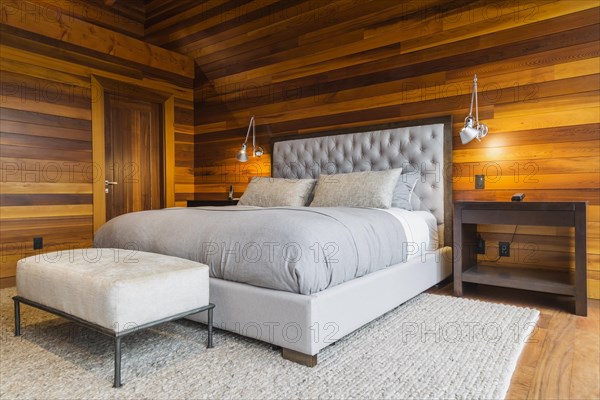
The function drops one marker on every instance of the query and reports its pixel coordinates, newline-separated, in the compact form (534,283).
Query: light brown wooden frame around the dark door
(100,85)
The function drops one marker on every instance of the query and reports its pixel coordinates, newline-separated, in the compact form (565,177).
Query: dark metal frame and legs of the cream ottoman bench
(117,336)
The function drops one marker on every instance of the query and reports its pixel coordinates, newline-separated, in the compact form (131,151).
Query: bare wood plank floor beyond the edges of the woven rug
(561,359)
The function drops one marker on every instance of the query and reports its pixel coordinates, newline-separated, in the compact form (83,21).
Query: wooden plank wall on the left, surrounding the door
(47,60)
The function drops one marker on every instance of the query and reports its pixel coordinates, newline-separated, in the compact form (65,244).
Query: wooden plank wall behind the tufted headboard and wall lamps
(312,65)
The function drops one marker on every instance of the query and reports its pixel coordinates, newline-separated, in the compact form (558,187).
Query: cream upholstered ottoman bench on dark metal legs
(113,291)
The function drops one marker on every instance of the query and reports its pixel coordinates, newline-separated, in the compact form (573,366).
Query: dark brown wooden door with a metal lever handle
(133,154)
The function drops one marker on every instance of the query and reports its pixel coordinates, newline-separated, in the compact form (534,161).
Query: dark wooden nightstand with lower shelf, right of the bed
(467,215)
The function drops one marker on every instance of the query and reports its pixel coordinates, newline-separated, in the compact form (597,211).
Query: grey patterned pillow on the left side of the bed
(277,192)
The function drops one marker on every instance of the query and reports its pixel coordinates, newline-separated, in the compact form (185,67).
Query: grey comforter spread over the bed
(301,250)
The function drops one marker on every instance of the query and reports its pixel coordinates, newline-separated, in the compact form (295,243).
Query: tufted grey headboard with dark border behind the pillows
(424,145)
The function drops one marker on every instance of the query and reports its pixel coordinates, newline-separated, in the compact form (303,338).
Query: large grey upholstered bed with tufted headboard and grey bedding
(302,278)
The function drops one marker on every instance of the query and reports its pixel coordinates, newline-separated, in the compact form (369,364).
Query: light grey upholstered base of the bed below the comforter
(309,323)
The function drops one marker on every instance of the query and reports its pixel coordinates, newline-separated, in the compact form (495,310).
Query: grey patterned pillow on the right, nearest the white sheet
(373,189)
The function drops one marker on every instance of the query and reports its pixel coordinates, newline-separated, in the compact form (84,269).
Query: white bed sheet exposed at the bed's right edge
(421,230)
